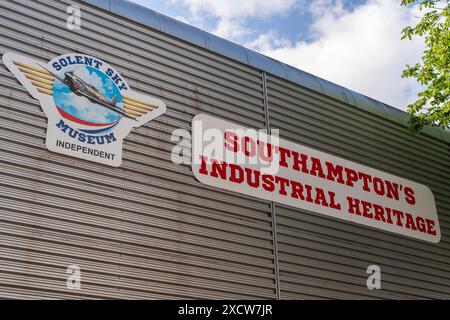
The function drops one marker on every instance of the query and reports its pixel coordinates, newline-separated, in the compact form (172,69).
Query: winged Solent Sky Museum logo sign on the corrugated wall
(89,105)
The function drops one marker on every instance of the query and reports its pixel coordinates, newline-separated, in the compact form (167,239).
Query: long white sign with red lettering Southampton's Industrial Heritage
(227,156)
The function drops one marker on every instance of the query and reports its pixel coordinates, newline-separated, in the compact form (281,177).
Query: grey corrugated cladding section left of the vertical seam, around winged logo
(147,229)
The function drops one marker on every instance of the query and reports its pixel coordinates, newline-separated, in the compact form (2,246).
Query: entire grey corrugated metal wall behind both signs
(148,229)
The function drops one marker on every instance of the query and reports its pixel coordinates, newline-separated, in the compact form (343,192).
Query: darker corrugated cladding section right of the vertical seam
(321,257)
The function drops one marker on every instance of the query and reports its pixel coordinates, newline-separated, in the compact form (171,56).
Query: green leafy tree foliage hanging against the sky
(432,106)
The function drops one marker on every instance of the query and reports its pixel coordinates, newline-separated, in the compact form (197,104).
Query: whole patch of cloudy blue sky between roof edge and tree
(354,43)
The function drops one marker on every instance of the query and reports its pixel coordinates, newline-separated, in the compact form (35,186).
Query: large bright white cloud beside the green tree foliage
(359,49)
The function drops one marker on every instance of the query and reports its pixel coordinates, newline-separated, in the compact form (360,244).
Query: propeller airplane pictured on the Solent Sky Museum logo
(79,87)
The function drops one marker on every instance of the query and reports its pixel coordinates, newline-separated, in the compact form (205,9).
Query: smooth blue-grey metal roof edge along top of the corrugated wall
(198,37)
